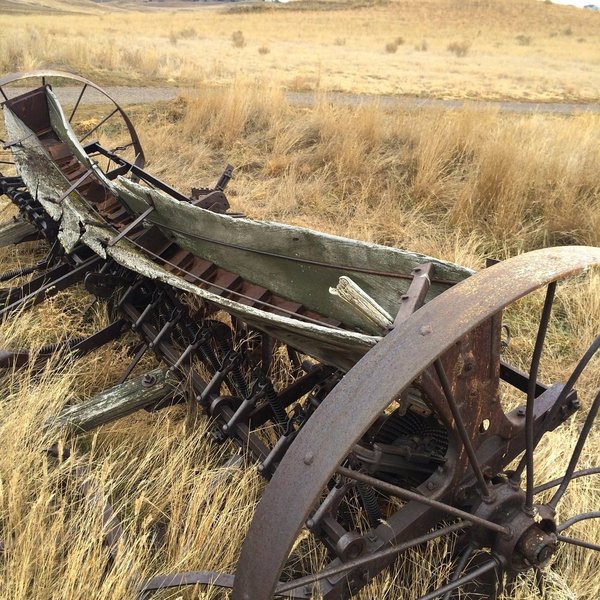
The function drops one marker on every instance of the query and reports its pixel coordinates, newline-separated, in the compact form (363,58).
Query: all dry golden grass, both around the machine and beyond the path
(461,185)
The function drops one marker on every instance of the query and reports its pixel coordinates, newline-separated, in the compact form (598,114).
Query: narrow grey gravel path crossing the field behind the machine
(142,95)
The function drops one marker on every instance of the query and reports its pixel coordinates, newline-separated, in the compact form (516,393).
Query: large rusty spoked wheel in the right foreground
(417,430)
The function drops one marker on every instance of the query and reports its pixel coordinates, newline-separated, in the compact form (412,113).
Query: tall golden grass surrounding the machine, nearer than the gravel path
(458,185)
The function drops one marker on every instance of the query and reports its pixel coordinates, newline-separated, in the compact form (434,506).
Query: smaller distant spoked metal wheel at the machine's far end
(90,110)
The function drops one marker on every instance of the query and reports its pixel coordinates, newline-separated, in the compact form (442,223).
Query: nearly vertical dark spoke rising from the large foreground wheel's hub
(531,389)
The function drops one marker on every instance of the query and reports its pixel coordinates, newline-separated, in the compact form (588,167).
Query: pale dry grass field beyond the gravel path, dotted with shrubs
(558,61)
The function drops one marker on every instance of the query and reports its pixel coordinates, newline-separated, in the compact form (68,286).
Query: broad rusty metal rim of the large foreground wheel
(381,376)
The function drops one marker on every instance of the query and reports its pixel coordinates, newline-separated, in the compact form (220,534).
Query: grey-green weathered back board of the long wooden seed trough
(295,262)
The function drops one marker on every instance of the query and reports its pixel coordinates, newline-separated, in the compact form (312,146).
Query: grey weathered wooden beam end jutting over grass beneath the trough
(117,401)
